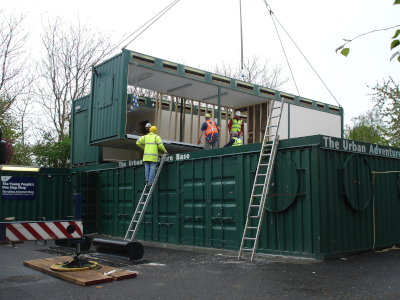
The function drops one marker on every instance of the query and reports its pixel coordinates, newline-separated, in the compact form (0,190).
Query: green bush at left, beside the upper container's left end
(52,154)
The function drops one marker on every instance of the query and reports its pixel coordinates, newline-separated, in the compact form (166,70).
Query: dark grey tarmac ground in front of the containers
(177,272)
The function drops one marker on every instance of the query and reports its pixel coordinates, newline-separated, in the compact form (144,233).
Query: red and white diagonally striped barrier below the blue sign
(34,231)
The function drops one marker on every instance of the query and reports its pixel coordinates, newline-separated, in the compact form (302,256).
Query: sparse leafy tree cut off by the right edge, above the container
(387,101)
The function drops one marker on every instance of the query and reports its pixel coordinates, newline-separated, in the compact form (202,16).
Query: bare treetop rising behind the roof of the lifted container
(255,72)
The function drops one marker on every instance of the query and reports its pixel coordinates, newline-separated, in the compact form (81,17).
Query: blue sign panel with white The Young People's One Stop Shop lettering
(18,188)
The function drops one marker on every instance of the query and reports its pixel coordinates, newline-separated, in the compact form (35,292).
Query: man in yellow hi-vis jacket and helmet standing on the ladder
(151,143)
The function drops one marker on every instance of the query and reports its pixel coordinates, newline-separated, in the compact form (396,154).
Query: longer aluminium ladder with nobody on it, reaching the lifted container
(262,181)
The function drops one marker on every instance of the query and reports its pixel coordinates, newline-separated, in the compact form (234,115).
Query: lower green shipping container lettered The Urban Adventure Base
(329,197)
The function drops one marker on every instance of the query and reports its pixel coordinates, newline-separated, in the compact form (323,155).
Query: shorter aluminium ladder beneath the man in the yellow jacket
(142,204)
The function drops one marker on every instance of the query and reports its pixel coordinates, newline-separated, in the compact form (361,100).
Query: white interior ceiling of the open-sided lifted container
(162,82)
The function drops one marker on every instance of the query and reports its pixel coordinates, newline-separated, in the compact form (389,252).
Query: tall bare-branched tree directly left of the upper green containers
(70,51)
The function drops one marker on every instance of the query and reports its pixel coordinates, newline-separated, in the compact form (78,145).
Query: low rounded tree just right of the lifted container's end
(368,128)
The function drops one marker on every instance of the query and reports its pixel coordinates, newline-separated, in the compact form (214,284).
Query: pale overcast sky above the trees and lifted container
(203,33)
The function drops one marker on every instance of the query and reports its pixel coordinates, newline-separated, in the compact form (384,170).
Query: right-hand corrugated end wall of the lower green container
(359,210)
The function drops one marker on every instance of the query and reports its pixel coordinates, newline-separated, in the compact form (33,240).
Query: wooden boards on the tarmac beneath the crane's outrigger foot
(85,278)
